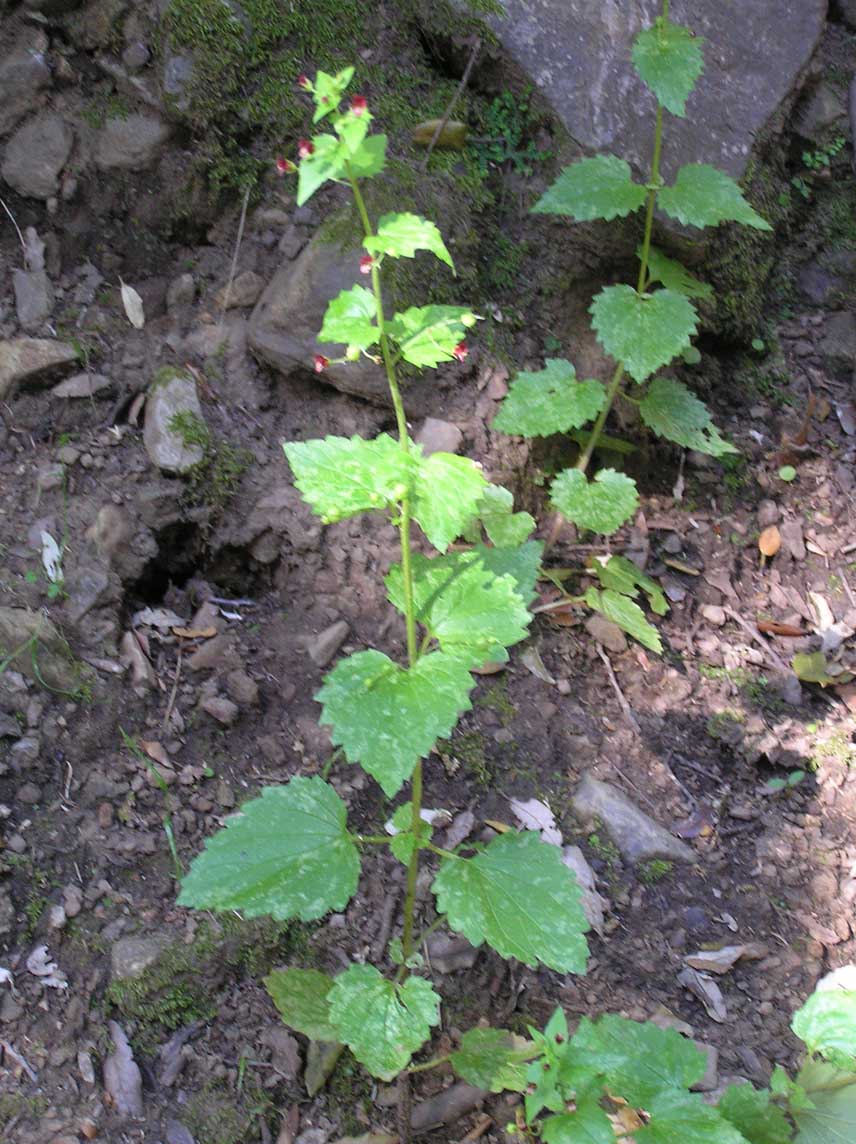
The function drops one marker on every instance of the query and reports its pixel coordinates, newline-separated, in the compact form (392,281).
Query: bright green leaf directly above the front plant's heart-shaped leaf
(472,614)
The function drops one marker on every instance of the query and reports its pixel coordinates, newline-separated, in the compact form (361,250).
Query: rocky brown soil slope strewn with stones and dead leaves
(168,670)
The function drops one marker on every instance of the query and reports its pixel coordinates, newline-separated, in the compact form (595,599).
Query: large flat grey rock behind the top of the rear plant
(578,55)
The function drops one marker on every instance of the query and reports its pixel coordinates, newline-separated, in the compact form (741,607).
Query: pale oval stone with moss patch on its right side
(175,425)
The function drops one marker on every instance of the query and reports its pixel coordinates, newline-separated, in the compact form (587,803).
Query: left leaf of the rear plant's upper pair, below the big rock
(599,188)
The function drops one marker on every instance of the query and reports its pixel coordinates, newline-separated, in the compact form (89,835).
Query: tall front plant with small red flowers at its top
(290,853)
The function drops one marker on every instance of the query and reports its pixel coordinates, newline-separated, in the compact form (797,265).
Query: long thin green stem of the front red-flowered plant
(410,614)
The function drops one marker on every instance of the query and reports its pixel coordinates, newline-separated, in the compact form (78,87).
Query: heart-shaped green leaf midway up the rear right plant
(643,331)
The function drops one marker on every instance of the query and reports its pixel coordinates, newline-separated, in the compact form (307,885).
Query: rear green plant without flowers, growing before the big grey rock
(643,329)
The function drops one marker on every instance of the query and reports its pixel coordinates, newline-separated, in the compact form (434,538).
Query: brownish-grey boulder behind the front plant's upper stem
(286,323)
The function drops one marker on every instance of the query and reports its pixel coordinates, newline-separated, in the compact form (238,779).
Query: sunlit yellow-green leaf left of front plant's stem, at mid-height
(343,476)
